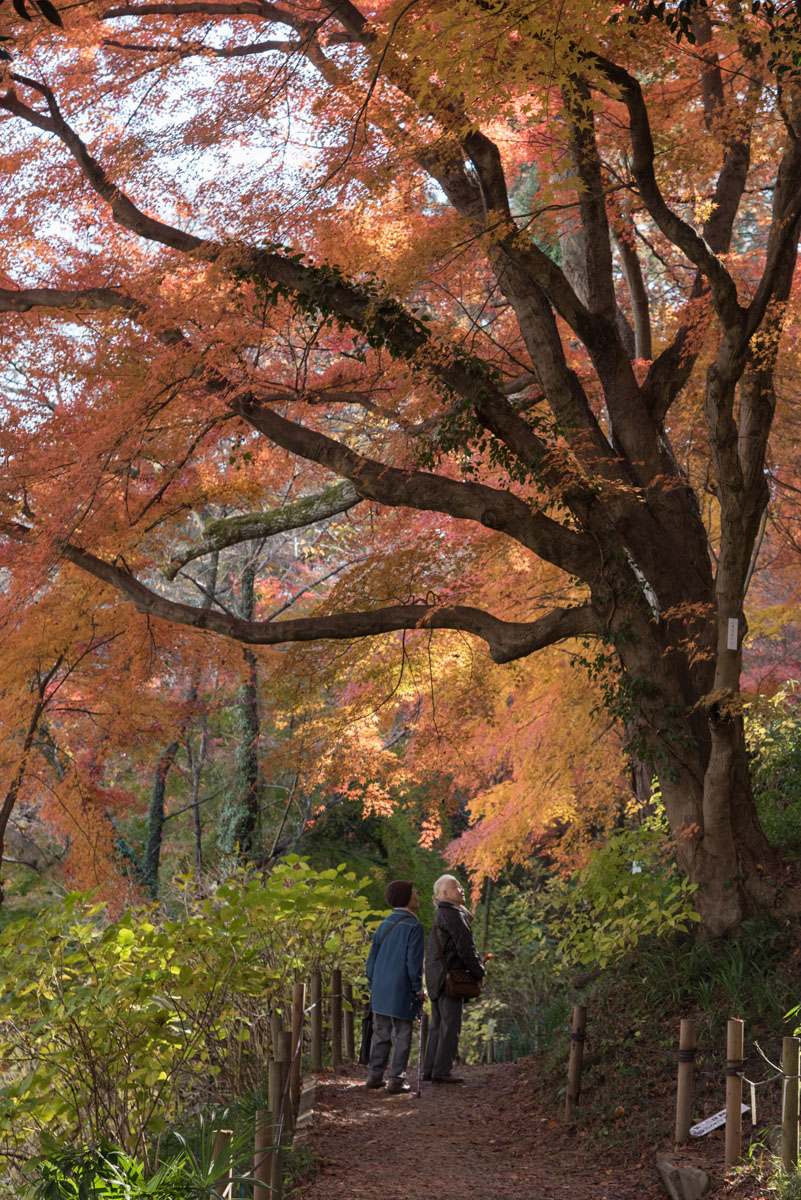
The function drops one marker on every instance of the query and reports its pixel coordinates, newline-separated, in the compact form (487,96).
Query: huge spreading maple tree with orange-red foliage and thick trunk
(486,311)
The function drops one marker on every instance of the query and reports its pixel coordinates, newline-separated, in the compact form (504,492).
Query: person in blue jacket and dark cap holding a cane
(395,970)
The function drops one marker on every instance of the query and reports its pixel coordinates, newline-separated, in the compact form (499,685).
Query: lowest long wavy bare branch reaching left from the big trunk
(507,640)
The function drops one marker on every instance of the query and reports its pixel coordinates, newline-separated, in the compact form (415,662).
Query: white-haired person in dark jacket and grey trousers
(454,925)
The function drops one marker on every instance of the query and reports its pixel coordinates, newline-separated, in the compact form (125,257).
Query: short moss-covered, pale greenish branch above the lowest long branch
(233,531)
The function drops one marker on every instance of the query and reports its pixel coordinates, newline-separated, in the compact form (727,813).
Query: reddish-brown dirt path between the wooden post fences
(485,1141)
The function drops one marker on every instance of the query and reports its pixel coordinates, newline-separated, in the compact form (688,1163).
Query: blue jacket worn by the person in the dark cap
(395,967)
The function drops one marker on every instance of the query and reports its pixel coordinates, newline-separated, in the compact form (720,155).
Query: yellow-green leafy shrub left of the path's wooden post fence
(110,1031)
